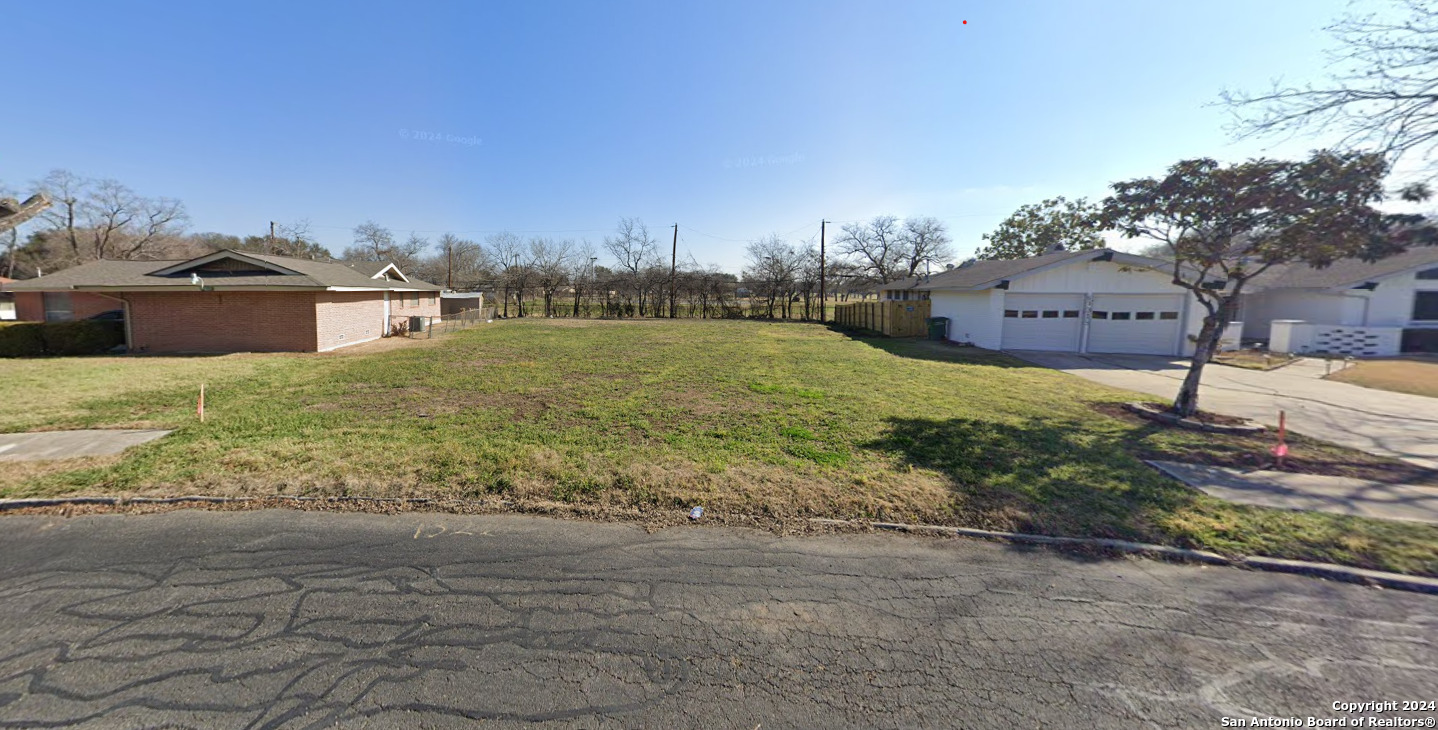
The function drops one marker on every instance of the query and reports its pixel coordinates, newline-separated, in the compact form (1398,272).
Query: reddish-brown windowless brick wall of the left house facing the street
(222,321)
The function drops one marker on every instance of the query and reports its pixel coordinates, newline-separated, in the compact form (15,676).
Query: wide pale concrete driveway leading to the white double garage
(1377,422)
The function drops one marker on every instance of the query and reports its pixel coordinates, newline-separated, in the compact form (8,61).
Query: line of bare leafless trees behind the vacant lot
(626,275)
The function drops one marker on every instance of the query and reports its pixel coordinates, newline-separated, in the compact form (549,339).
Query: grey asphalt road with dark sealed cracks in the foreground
(319,620)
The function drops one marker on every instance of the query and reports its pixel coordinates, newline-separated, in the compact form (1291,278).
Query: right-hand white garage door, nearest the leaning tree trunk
(1137,324)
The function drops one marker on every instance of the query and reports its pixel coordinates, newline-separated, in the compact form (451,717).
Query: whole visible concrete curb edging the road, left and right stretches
(1331,571)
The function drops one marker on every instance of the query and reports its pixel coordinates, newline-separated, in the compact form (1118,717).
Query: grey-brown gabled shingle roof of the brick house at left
(268,272)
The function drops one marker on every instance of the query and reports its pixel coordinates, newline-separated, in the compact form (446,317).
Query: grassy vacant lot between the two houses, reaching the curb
(763,419)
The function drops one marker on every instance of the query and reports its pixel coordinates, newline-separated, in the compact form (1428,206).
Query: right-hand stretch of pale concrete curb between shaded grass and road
(1331,571)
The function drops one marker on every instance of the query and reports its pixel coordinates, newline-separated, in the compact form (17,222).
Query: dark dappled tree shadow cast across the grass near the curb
(1039,476)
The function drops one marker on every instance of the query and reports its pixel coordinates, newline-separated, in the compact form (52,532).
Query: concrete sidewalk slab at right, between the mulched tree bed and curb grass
(1308,492)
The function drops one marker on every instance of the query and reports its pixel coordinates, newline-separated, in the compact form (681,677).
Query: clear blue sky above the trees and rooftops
(736,120)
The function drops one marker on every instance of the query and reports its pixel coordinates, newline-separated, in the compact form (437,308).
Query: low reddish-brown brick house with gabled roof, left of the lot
(234,302)
